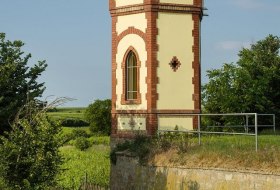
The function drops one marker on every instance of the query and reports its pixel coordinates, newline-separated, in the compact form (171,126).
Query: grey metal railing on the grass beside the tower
(246,126)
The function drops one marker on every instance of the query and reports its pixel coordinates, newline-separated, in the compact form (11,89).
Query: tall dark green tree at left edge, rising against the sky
(18,82)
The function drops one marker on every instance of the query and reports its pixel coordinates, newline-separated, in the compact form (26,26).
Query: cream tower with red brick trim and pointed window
(155,65)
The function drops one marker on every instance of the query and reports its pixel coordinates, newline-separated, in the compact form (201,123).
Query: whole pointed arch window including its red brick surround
(131,65)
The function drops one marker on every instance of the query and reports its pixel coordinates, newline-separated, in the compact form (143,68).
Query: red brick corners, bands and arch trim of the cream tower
(151,8)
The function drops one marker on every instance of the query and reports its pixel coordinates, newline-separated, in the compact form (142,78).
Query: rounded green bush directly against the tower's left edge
(98,114)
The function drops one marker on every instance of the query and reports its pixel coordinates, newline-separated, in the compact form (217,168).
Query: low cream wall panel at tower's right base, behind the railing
(171,123)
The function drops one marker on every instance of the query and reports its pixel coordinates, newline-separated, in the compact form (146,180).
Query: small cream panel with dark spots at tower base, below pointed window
(124,123)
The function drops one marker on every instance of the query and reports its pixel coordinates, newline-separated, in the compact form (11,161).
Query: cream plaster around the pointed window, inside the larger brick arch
(139,45)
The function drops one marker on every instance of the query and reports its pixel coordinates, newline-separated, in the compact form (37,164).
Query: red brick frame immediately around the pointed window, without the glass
(124,100)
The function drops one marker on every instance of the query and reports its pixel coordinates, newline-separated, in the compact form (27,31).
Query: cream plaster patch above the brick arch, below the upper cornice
(138,21)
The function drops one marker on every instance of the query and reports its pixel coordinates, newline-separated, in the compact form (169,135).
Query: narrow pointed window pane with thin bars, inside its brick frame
(131,76)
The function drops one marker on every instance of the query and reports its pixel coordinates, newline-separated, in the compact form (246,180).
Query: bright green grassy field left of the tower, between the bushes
(93,163)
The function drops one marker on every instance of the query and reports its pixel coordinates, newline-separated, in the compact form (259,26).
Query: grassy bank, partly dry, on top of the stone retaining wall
(217,151)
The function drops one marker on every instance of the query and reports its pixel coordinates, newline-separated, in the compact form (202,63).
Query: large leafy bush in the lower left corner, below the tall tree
(29,153)
